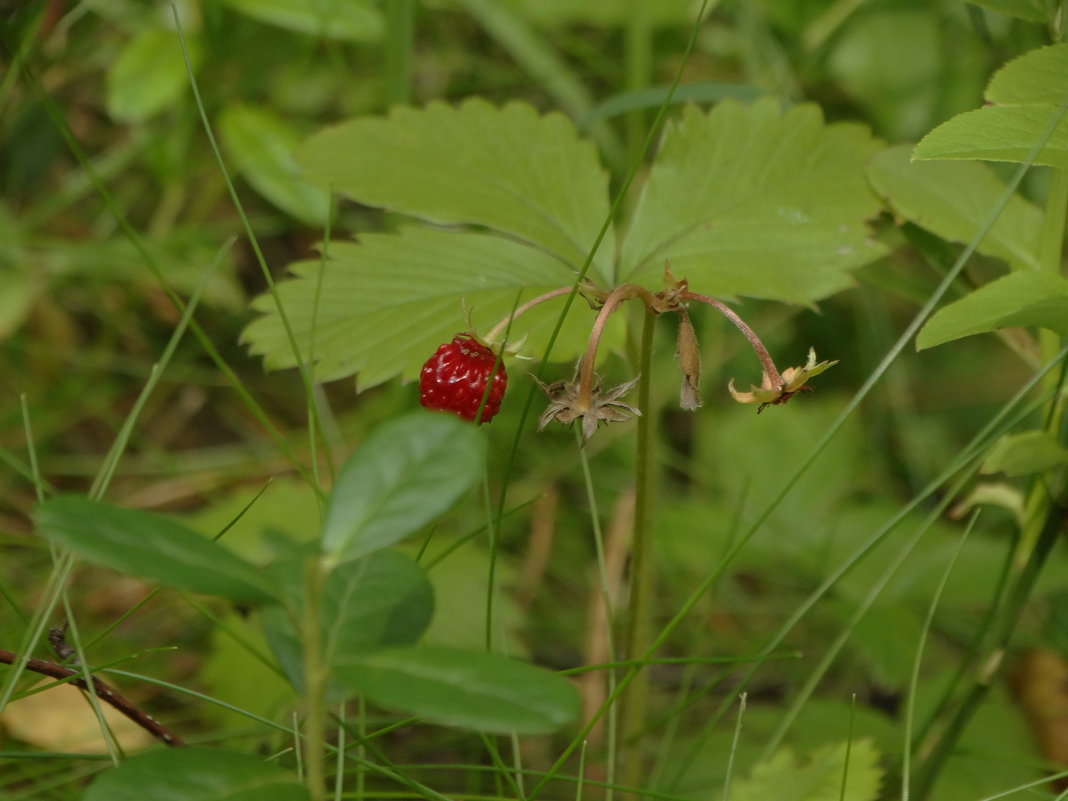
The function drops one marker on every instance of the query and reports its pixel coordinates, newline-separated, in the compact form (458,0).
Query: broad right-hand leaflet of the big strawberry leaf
(755,201)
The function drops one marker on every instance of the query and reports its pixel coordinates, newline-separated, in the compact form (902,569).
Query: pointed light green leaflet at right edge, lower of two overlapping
(999,134)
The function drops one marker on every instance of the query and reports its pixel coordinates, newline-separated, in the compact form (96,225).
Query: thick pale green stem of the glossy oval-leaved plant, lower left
(316,682)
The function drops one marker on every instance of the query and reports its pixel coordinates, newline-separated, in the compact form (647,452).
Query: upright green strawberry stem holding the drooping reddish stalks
(640,611)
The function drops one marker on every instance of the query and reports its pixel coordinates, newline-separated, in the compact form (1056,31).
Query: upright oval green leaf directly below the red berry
(404,476)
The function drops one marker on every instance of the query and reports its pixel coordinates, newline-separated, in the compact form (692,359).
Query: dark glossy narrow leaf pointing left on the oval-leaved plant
(150,546)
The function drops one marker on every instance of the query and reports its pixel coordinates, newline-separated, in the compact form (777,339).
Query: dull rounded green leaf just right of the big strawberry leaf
(953,199)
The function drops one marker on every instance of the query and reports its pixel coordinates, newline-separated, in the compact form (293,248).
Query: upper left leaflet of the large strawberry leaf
(507,168)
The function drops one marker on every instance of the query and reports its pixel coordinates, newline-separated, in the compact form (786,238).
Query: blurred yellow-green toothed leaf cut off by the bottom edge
(783,778)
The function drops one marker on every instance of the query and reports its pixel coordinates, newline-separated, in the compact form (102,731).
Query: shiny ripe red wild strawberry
(454,380)
